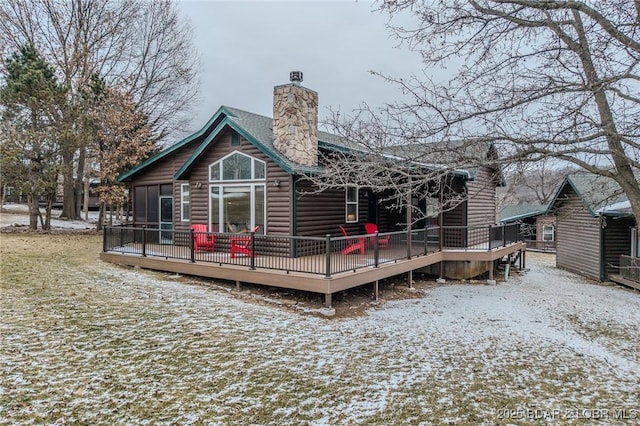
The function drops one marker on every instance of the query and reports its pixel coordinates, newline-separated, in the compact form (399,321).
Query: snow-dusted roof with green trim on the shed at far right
(600,194)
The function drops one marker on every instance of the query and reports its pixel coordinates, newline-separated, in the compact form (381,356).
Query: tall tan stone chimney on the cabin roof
(295,121)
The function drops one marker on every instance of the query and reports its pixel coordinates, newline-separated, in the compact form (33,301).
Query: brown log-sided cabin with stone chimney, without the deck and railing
(243,170)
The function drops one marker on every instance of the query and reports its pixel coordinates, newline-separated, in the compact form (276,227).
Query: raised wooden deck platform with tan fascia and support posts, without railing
(286,275)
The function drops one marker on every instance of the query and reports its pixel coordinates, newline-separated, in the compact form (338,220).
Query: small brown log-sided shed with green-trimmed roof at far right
(593,225)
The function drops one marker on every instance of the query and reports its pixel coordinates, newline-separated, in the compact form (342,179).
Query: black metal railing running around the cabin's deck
(317,255)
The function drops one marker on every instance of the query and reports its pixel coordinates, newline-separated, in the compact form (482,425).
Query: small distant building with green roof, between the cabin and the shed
(539,229)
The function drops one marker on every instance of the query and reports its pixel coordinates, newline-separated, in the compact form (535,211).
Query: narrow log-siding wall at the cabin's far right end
(481,206)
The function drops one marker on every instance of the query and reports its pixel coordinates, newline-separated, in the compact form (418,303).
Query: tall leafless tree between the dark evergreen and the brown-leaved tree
(137,45)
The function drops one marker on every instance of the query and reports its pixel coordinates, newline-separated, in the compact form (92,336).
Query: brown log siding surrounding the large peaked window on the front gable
(279,210)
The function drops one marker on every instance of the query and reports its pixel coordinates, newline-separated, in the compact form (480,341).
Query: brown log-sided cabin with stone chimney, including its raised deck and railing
(245,173)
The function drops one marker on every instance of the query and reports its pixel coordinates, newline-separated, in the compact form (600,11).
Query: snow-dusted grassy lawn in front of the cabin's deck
(98,344)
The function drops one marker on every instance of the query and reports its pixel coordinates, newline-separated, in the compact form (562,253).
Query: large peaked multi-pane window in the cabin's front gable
(237,193)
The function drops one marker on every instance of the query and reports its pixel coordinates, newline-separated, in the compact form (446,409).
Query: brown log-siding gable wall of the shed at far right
(578,238)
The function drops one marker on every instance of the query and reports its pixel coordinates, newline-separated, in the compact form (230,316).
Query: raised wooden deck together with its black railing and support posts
(320,265)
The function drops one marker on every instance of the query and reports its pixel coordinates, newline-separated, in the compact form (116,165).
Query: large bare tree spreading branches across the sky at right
(538,79)
